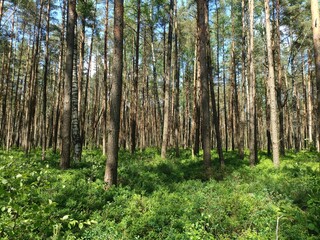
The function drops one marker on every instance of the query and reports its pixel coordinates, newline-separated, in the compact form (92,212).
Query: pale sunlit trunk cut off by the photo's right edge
(316,48)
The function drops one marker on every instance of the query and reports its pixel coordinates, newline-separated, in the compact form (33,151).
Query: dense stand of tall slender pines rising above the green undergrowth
(218,74)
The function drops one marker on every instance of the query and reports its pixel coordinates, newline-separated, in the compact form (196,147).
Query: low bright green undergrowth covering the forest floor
(159,199)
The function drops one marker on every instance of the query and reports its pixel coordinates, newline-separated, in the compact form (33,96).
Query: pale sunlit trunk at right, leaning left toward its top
(272,91)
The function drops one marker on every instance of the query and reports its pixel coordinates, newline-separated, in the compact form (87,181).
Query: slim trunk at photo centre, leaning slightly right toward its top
(166,118)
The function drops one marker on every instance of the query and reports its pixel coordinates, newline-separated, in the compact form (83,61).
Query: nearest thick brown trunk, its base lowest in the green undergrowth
(110,177)
